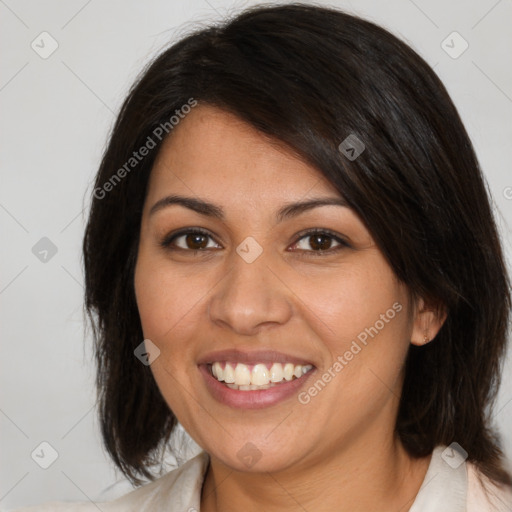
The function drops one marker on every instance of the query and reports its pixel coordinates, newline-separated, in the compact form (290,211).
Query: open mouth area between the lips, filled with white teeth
(246,377)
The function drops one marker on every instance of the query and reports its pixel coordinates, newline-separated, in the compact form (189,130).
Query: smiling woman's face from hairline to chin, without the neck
(258,285)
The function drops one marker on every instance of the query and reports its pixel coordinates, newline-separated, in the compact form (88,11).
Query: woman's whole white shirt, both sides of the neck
(444,489)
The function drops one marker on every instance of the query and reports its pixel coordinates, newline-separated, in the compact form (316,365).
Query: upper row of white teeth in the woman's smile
(240,374)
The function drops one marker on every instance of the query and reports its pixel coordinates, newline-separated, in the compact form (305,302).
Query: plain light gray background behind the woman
(55,117)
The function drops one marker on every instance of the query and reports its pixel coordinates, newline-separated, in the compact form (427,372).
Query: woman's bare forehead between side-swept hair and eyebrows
(212,151)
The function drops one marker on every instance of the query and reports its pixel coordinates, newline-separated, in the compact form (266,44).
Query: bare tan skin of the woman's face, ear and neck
(339,451)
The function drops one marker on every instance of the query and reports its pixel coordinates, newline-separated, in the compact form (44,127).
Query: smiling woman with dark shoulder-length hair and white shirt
(291,252)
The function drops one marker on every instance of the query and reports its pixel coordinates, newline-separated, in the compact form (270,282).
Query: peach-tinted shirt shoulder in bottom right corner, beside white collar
(484,495)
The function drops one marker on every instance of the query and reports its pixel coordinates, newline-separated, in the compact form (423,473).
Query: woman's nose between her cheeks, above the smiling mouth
(251,297)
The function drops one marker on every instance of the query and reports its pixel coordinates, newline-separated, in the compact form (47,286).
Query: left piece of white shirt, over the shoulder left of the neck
(178,490)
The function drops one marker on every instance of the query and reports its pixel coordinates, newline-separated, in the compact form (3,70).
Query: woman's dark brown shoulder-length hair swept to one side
(309,77)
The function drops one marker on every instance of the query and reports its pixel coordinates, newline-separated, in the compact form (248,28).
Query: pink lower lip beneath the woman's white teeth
(252,399)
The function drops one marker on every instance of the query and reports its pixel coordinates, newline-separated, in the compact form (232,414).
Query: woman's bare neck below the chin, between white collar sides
(363,477)
